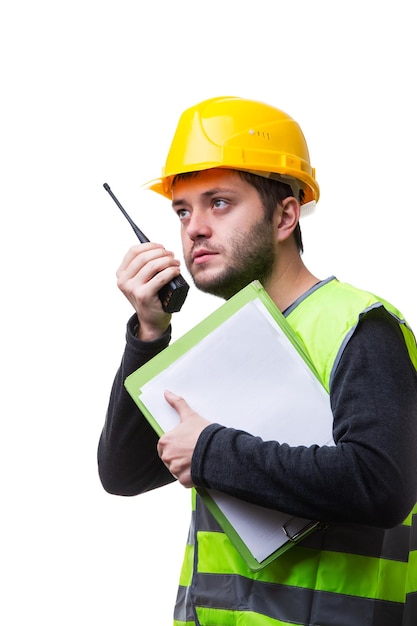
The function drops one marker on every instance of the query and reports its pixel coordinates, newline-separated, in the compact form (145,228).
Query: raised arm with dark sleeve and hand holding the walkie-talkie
(127,453)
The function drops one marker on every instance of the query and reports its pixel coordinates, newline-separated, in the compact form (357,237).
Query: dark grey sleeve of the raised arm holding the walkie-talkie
(128,461)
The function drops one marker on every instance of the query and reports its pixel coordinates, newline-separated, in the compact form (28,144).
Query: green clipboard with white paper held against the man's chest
(243,367)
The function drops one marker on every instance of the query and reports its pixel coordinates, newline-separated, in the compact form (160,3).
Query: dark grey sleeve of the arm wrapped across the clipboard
(368,477)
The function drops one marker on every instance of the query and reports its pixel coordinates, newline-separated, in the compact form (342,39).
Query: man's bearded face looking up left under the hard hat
(227,240)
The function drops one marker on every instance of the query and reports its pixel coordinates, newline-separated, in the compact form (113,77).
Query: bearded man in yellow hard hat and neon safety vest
(238,173)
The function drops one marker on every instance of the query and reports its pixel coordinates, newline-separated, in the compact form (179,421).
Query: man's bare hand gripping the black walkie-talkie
(145,269)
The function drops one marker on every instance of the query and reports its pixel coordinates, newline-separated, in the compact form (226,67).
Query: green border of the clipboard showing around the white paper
(169,355)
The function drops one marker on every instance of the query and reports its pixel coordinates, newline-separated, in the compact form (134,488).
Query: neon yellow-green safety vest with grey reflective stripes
(343,576)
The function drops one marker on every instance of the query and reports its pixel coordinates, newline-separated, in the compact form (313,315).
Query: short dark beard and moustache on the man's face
(251,257)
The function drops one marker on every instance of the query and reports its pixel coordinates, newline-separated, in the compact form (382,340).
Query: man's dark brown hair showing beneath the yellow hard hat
(272,192)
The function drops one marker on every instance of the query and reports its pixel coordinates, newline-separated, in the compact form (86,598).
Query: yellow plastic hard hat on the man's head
(239,134)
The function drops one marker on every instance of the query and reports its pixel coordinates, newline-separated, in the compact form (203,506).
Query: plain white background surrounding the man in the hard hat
(91,93)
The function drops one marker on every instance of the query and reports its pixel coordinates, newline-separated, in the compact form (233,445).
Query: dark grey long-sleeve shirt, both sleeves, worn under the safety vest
(369,477)
